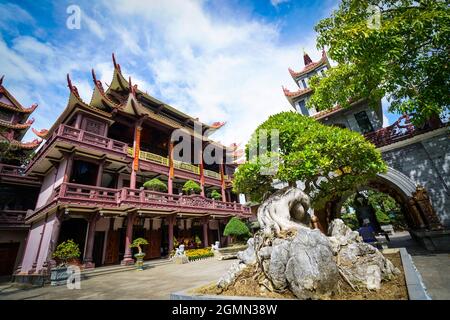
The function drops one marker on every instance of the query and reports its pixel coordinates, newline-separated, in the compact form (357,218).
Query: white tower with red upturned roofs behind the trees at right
(359,117)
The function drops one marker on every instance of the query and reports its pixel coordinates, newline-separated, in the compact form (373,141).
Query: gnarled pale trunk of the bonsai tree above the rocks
(285,209)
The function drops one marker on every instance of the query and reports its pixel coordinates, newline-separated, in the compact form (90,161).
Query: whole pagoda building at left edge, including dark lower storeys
(18,192)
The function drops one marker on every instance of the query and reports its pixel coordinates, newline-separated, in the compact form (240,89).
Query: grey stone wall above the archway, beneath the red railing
(425,159)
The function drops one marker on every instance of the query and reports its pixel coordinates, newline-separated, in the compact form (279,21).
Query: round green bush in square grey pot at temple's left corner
(65,253)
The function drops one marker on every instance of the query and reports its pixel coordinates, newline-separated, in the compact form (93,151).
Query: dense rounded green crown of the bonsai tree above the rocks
(330,160)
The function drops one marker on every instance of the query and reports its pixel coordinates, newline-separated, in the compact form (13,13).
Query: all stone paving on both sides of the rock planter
(159,280)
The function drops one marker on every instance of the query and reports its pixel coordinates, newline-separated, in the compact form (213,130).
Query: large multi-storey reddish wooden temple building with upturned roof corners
(91,170)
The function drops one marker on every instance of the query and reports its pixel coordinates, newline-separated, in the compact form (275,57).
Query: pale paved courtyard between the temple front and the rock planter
(156,282)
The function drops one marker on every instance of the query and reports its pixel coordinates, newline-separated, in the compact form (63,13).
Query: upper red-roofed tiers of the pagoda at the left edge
(14,123)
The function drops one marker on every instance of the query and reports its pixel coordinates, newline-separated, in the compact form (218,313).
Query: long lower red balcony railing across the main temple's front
(126,198)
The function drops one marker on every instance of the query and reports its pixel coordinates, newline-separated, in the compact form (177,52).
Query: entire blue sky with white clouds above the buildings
(222,60)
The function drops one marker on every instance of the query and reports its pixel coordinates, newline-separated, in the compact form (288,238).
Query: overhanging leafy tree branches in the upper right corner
(405,59)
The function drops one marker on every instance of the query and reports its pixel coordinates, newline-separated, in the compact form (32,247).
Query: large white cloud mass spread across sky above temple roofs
(215,69)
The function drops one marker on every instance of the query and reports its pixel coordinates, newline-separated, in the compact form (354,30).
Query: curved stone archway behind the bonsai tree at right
(413,199)
